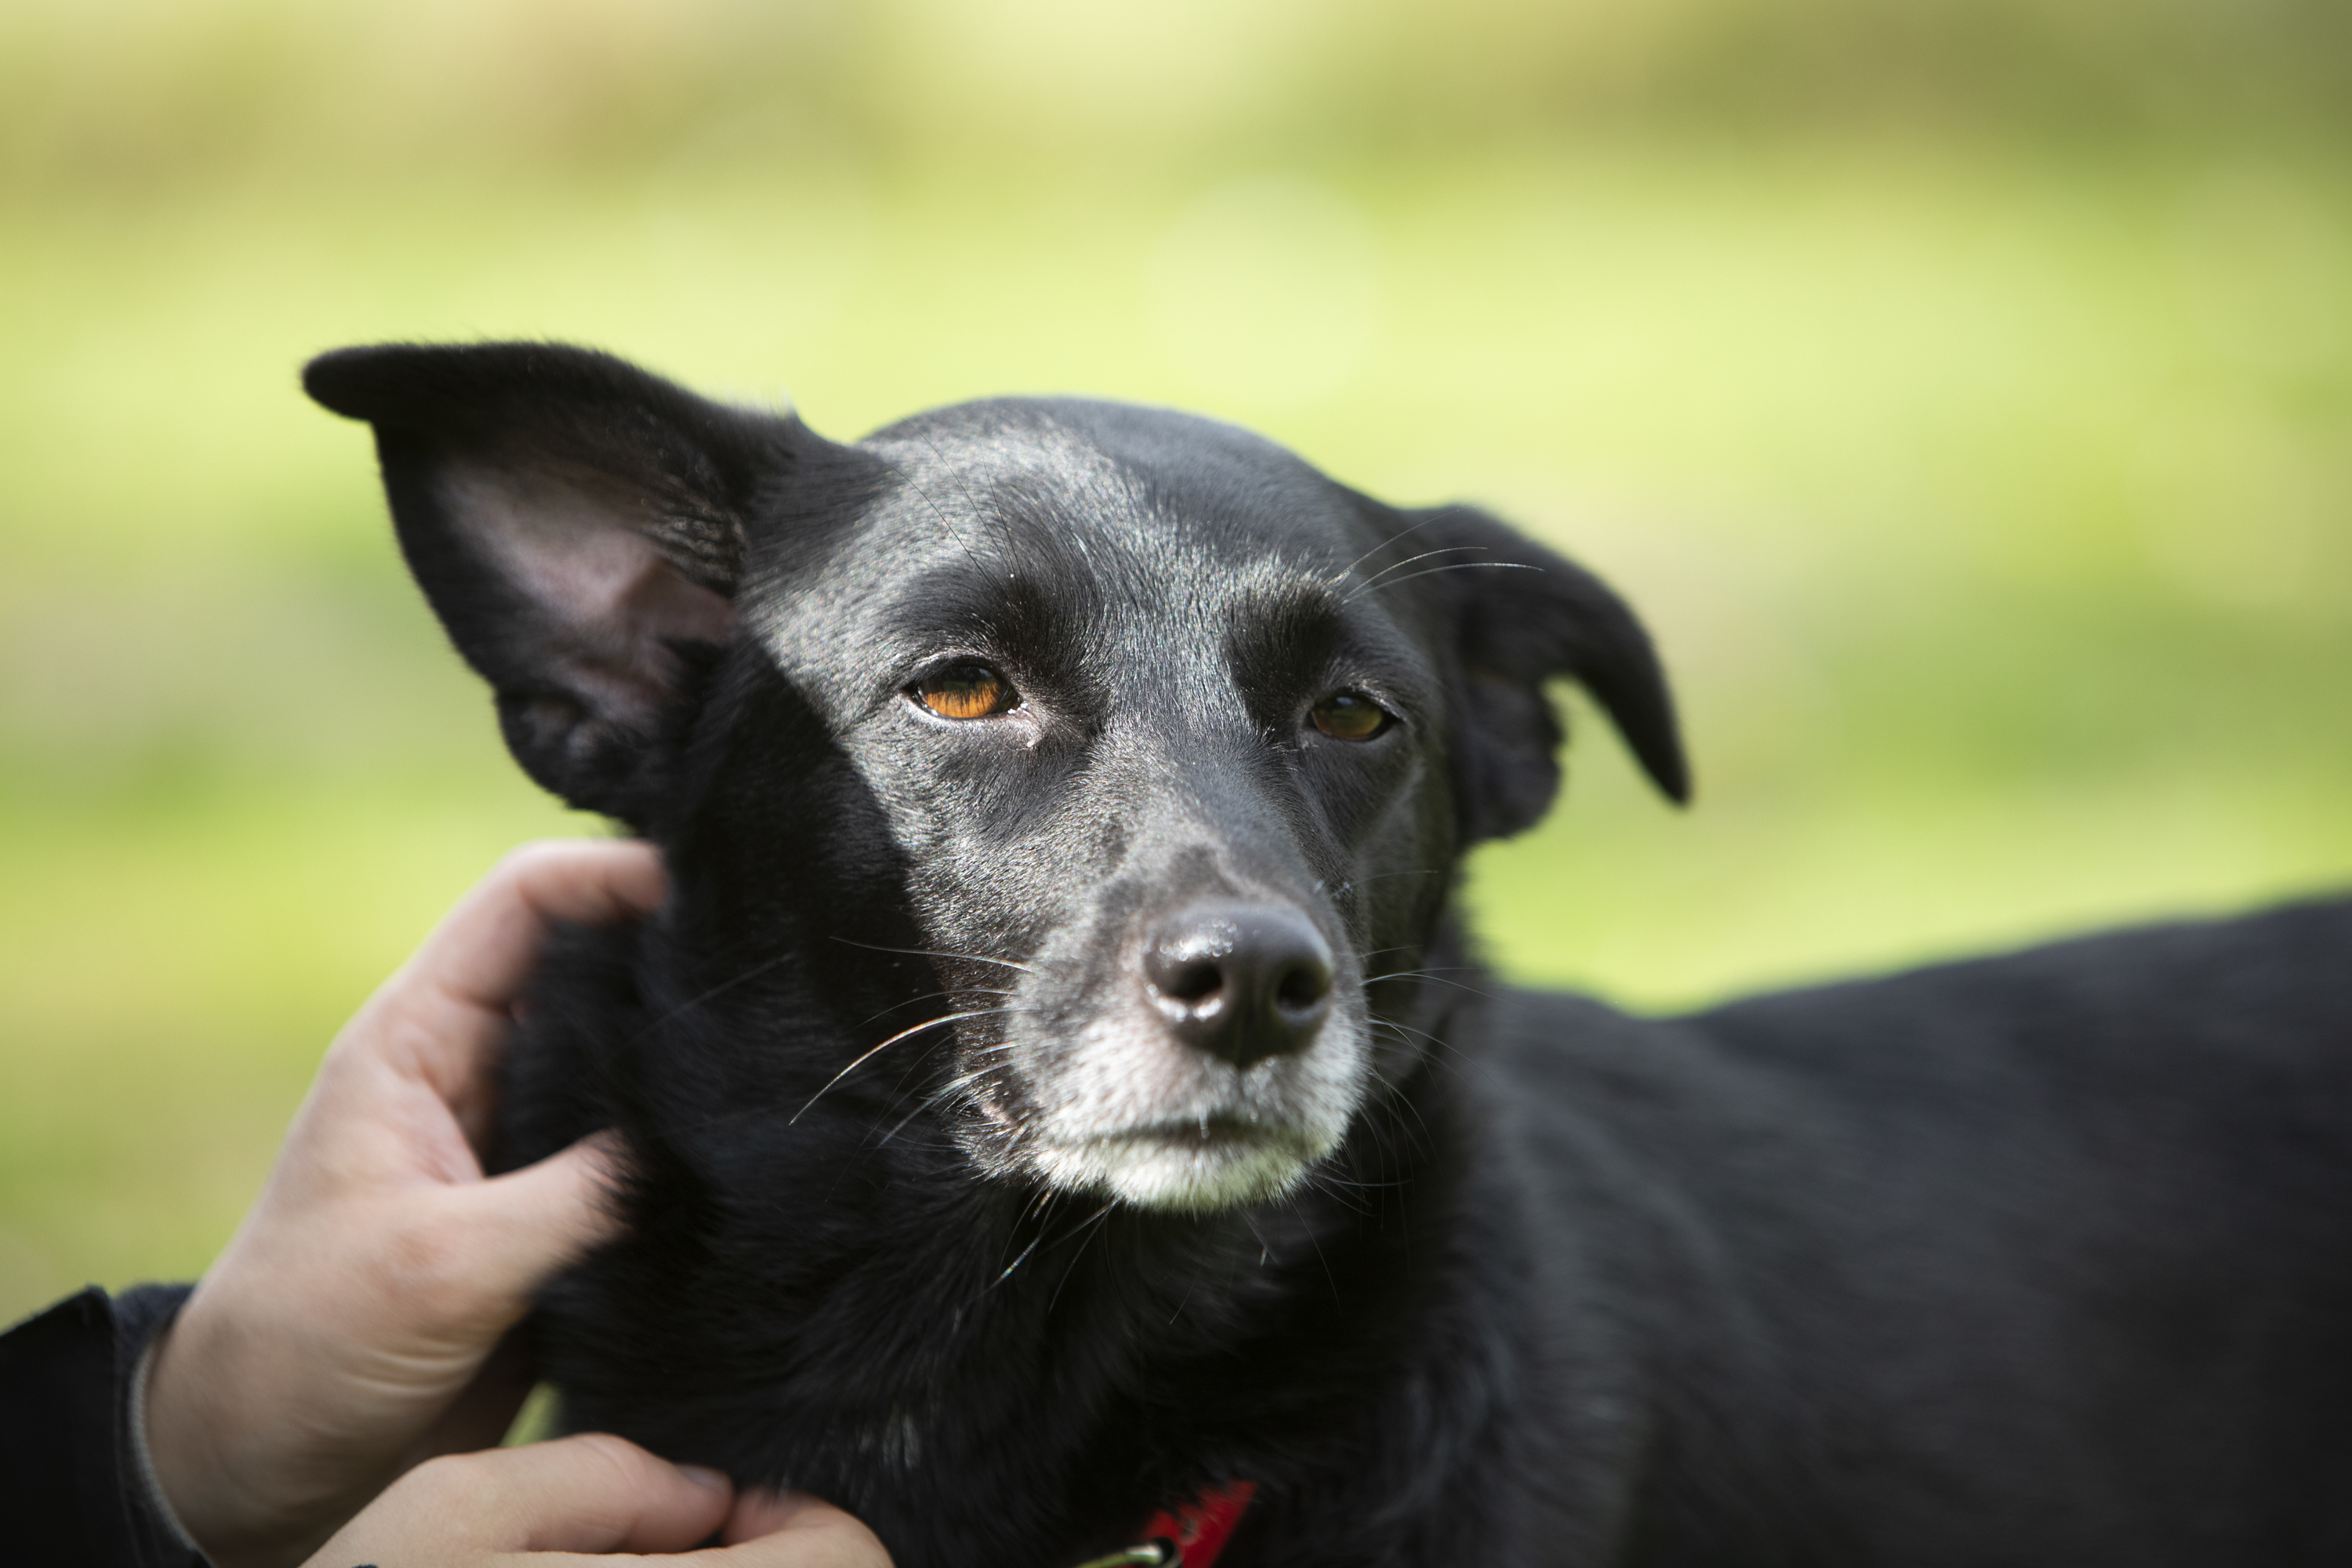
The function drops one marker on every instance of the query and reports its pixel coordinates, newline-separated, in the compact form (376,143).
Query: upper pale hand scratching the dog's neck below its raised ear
(347,1332)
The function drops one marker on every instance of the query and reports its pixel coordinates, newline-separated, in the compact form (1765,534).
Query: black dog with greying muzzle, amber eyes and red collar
(1062,1097)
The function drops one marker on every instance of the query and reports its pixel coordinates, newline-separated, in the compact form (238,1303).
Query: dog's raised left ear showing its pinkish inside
(577,525)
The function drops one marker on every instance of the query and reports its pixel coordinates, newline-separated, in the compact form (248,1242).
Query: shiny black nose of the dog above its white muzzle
(1243,981)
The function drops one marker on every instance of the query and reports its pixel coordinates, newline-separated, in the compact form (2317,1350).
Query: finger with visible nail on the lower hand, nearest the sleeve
(582,1494)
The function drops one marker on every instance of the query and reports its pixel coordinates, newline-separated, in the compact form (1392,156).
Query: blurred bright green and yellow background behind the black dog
(1960,387)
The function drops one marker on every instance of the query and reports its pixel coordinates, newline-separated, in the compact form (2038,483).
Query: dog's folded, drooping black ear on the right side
(1525,617)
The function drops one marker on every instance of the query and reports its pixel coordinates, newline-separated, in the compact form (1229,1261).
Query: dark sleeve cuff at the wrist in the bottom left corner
(72,1487)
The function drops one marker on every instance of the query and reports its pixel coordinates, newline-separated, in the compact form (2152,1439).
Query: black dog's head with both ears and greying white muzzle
(1168,744)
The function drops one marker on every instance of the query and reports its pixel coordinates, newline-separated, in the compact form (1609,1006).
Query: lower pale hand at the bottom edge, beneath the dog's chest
(540,1506)
